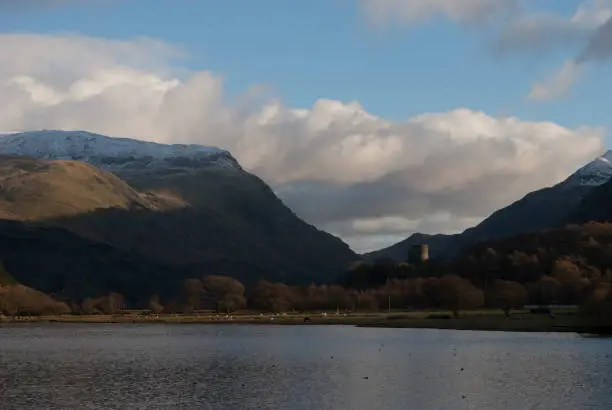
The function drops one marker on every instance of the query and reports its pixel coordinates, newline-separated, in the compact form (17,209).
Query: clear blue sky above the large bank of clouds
(327,49)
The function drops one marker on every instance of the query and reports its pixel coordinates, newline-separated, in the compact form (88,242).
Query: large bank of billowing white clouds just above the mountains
(346,170)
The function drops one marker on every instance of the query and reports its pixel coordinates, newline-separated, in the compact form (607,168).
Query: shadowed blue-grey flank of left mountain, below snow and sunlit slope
(234,226)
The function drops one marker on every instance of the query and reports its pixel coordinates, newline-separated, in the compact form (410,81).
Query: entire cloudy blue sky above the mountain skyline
(371,119)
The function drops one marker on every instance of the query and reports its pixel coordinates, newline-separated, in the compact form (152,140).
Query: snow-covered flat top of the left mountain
(112,153)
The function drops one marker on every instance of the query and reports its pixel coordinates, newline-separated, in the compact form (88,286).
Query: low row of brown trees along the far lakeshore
(448,292)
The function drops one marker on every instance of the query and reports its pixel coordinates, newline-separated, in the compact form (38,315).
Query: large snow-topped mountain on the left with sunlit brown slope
(180,209)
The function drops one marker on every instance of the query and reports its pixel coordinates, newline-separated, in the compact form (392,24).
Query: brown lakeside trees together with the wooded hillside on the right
(571,266)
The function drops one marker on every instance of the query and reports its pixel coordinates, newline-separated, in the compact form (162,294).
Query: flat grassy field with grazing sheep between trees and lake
(566,320)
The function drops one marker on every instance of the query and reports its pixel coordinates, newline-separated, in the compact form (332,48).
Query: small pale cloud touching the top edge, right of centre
(413,11)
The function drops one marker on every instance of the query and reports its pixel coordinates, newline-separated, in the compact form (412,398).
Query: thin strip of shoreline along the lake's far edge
(566,323)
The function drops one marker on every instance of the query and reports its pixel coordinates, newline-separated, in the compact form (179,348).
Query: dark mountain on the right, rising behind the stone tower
(541,209)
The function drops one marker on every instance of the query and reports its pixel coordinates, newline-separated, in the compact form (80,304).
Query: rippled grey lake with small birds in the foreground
(298,367)
